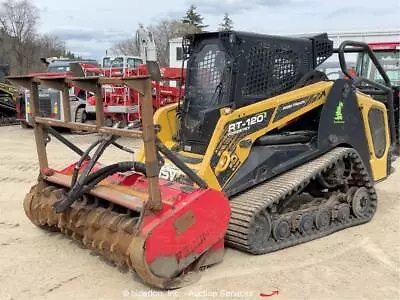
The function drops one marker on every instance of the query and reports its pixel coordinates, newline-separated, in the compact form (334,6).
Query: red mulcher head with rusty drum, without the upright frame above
(166,247)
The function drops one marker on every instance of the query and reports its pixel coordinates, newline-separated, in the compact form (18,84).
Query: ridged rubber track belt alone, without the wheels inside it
(248,205)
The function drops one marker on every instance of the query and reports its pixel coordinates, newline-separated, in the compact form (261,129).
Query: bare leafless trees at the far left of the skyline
(21,45)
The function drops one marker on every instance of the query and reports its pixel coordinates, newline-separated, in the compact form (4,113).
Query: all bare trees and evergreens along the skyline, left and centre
(21,45)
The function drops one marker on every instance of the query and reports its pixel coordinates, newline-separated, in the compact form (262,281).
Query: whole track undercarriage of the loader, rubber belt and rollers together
(326,195)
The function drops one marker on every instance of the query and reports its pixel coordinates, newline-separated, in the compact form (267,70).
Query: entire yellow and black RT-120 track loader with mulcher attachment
(296,154)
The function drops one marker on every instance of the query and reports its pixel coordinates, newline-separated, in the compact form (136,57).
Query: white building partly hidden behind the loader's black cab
(175,45)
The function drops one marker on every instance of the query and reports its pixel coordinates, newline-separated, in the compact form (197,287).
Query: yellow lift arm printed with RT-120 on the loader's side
(237,131)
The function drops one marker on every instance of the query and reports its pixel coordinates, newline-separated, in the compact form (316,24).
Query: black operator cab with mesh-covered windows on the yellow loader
(236,69)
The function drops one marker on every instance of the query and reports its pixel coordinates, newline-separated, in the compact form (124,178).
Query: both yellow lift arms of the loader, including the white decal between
(237,130)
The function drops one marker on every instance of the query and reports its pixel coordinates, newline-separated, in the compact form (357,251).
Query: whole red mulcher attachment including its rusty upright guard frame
(165,232)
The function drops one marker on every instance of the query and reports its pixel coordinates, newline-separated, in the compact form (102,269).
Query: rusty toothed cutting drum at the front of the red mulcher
(103,230)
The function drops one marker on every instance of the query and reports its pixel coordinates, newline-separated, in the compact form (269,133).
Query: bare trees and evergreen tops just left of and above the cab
(166,30)
